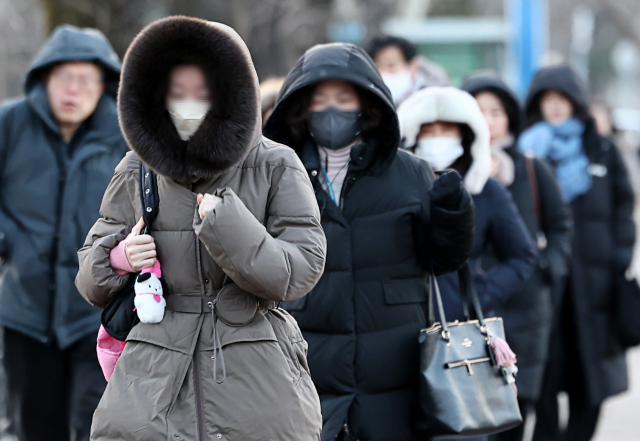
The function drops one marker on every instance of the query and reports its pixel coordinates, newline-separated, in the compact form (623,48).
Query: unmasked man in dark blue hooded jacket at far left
(59,145)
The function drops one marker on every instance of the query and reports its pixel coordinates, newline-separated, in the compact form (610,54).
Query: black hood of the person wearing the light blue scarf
(564,80)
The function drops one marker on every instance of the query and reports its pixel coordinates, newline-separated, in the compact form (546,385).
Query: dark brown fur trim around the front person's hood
(231,127)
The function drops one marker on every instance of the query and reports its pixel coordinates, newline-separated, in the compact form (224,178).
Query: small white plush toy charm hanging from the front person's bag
(149,301)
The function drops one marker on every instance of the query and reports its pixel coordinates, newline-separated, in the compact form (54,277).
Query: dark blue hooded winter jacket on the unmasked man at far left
(50,193)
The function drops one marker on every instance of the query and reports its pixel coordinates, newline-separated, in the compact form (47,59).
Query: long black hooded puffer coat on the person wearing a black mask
(363,319)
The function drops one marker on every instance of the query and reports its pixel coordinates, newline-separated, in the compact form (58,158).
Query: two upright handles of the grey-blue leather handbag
(467,290)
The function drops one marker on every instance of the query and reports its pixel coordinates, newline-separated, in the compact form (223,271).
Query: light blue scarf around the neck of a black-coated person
(562,146)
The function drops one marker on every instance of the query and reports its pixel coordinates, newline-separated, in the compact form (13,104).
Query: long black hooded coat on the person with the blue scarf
(602,245)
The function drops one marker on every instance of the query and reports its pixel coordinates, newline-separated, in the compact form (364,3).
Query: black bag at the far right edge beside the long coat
(627,319)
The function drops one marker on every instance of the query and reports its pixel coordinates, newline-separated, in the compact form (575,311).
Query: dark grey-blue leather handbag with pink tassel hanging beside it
(462,391)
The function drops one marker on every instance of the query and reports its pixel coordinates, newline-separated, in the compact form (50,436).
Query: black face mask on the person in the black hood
(334,128)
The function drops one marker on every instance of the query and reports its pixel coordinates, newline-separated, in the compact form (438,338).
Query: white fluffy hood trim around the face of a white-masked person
(452,105)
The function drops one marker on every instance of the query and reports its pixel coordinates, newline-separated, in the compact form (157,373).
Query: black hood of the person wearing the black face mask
(338,61)
